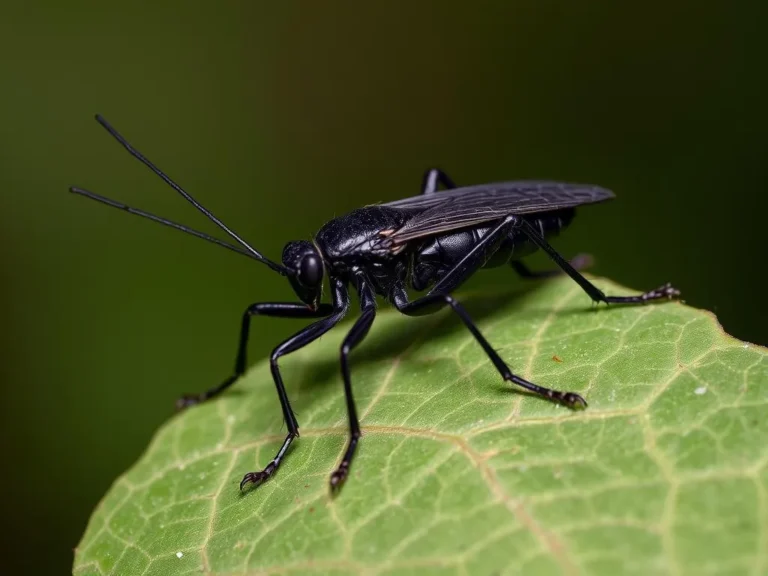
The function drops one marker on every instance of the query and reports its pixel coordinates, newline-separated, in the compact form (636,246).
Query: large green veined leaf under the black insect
(459,472)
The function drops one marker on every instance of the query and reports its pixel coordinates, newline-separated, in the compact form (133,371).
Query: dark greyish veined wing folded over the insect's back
(473,205)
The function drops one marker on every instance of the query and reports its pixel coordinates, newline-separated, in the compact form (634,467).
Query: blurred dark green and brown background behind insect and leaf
(279,119)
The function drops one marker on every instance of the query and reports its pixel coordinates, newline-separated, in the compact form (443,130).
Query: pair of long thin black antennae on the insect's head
(255,254)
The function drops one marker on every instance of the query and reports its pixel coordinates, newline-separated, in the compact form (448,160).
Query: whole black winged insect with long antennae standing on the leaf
(434,241)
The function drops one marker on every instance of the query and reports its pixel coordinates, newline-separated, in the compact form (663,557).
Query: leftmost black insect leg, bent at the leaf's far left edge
(275,309)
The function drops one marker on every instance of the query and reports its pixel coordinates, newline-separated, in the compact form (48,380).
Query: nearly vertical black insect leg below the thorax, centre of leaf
(354,337)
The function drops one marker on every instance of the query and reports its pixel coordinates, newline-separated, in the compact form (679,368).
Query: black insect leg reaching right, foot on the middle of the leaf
(433,301)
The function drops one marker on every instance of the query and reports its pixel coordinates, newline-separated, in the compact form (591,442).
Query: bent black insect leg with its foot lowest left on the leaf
(295,342)
